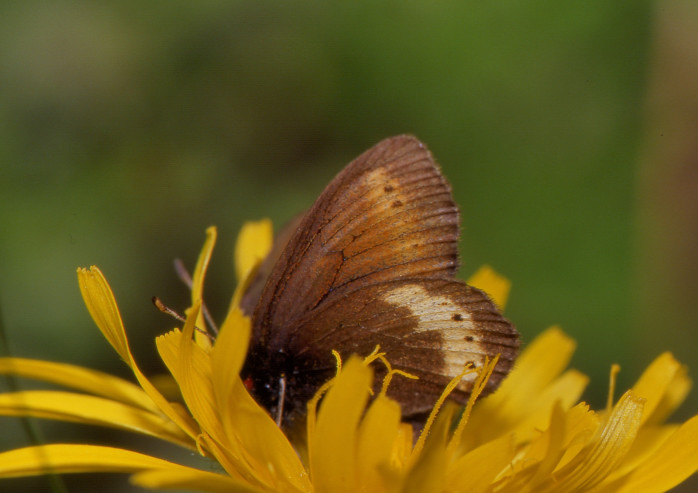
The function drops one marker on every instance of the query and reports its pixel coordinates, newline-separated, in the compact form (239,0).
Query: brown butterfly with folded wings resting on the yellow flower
(373,263)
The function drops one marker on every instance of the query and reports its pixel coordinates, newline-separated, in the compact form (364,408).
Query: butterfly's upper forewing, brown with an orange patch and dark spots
(388,214)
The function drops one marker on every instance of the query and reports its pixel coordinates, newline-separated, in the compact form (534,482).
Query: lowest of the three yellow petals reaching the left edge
(64,458)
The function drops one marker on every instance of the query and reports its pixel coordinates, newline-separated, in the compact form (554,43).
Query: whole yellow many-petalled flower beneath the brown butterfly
(532,435)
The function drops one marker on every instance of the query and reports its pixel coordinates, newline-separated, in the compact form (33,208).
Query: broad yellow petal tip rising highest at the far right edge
(665,384)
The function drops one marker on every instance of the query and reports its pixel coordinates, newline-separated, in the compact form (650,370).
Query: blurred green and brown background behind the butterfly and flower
(567,129)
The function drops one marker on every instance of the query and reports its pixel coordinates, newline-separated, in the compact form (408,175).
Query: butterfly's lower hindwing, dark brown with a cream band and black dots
(431,328)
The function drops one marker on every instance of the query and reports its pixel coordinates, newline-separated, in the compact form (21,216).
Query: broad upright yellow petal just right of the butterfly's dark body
(332,446)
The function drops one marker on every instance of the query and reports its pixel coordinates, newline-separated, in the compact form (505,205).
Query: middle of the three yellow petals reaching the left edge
(92,410)
